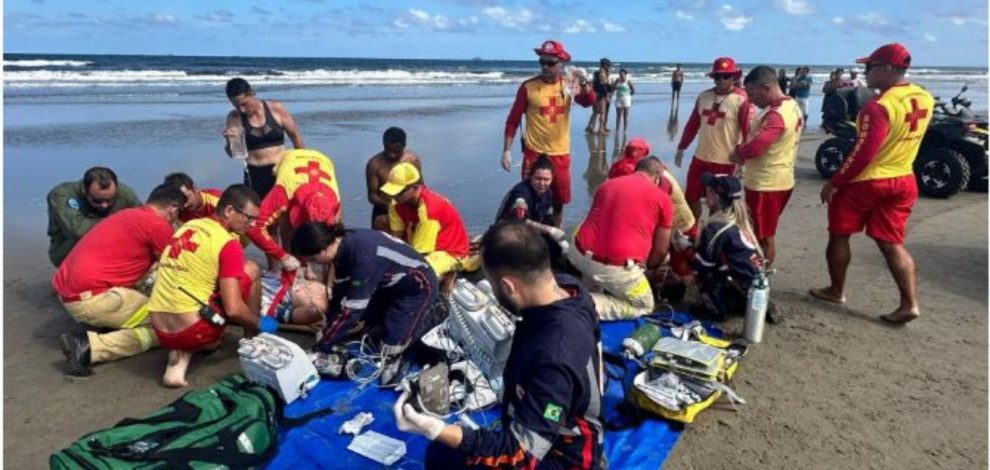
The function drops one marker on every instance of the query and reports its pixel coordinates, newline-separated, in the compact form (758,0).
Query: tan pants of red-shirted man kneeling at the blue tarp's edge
(627,293)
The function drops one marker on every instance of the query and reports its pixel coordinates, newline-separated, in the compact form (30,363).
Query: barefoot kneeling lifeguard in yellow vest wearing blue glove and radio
(204,263)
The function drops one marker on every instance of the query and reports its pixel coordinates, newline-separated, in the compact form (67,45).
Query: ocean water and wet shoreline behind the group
(146,116)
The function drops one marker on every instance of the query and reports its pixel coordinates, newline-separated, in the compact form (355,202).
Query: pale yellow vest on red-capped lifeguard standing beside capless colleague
(720,129)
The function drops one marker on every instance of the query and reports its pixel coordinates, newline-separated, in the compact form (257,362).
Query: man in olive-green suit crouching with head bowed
(74,207)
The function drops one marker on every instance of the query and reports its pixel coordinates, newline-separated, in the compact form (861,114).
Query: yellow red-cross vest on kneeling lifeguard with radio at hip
(191,260)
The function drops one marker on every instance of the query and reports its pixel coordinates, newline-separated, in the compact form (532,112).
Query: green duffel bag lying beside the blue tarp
(231,424)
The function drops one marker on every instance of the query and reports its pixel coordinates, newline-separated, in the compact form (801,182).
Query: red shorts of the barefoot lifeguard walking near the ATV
(882,206)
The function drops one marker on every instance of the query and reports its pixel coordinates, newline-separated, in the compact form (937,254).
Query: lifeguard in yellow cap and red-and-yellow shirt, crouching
(426,220)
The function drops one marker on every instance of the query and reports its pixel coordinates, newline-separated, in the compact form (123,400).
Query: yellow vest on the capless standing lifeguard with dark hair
(774,170)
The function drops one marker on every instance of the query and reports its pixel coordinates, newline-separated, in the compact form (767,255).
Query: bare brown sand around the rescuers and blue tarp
(831,387)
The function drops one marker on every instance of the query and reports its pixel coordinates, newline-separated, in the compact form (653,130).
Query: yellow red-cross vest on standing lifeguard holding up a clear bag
(548,117)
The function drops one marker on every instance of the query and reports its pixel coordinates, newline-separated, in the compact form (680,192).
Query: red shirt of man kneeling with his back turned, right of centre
(624,214)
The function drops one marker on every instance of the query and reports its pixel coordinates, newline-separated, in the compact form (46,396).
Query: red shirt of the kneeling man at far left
(115,253)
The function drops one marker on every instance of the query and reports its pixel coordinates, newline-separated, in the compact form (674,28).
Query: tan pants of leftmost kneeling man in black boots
(121,308)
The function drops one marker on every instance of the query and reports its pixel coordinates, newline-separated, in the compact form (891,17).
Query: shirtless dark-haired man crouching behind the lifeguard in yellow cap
(378,168)
